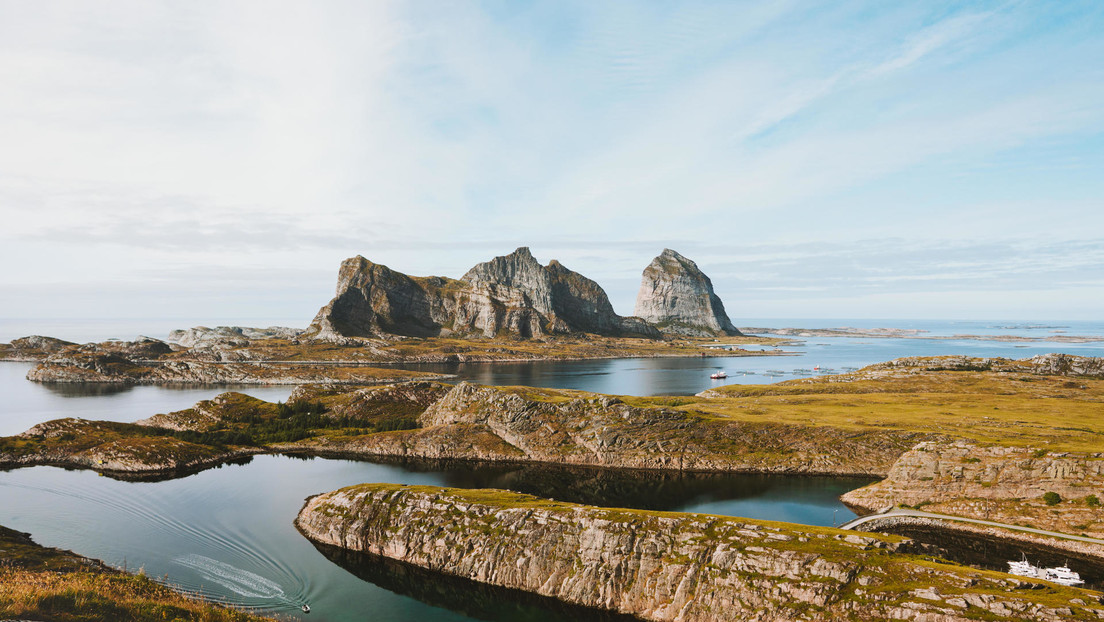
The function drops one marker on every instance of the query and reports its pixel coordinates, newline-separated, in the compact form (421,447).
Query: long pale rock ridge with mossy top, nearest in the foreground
(666,566)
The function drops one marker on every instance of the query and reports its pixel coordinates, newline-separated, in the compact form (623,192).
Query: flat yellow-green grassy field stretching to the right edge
(1059,414)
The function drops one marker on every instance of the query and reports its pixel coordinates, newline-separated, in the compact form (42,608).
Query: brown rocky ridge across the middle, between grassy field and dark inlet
(489,424)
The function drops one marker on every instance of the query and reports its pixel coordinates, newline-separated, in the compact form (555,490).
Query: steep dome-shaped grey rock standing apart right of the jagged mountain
(678,298)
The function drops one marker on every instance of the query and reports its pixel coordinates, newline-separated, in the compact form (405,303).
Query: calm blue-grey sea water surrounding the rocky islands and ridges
(228,532)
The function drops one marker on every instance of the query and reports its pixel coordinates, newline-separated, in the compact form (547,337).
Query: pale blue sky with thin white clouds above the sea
(857,160)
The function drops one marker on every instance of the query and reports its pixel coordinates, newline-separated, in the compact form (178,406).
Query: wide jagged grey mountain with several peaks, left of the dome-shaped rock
(512,296)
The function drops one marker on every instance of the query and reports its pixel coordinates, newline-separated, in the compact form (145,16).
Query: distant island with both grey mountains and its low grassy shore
(509,309)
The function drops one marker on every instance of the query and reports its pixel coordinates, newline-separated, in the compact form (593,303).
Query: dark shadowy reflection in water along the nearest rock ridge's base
(480,602)
